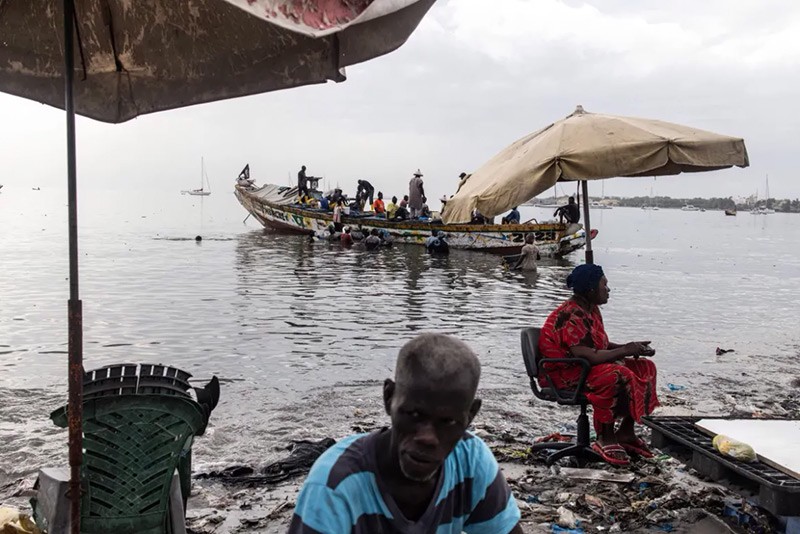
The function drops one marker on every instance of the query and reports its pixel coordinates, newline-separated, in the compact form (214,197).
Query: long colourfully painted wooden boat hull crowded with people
(276,207)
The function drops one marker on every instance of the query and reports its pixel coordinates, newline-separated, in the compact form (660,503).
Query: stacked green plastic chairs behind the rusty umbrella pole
(136,435)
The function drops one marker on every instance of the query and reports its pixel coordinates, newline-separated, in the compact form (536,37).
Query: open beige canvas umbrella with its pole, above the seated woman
(590,146)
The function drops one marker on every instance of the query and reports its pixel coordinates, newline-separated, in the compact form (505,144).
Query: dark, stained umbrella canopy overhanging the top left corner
(134,57)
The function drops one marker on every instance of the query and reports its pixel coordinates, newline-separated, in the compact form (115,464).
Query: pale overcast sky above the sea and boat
(474,77)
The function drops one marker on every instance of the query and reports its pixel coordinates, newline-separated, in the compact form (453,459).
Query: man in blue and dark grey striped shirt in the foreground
(426,472)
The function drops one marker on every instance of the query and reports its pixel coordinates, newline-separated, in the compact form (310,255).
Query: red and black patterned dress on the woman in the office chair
(630,381)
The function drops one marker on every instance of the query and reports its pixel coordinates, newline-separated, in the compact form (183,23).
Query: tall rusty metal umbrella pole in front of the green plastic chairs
(74,312)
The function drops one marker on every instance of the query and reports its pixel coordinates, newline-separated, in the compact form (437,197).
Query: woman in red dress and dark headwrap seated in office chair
(620,385)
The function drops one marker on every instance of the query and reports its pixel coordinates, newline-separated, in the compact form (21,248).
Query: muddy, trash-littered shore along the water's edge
(660,494)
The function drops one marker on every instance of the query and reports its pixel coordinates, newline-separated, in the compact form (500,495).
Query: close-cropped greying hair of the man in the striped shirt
(438,359)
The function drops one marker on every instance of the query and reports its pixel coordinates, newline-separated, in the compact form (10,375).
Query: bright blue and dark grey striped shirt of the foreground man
(342,496)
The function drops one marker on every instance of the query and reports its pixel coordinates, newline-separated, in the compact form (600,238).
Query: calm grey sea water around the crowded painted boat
(302,334)
